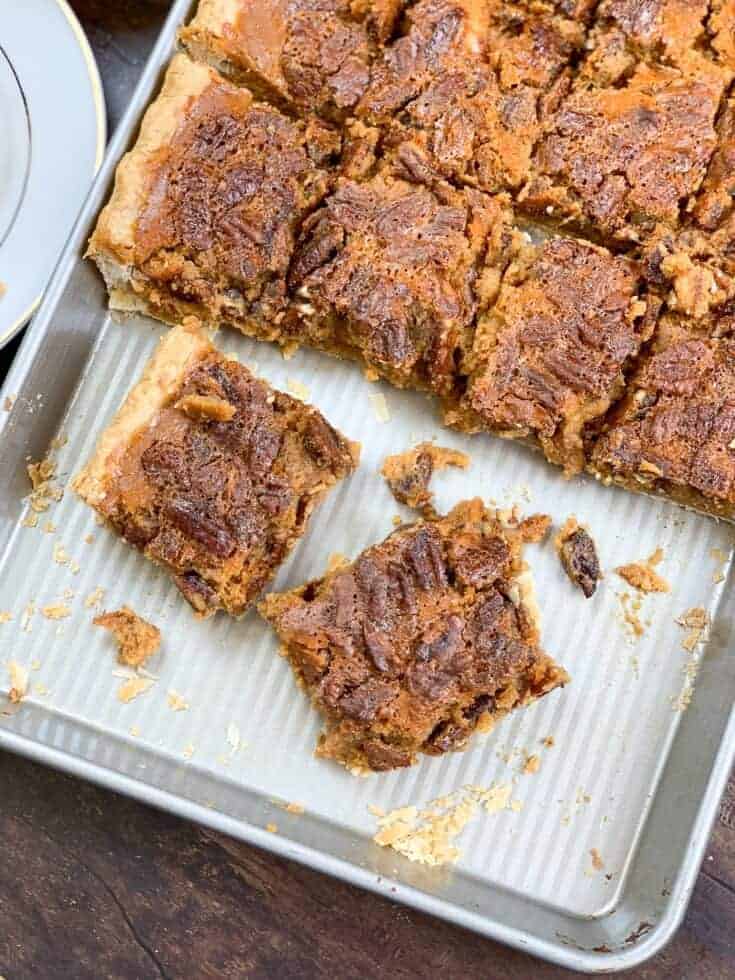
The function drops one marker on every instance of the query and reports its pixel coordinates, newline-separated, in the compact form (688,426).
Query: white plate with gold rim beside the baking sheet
(52,137)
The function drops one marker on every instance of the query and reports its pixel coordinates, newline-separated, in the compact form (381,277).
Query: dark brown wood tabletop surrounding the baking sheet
(96,886)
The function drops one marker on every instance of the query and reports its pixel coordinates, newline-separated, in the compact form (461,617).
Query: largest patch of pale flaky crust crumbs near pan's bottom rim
(428,836)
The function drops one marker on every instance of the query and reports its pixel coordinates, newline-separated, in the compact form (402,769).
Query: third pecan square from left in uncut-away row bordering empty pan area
(550,353)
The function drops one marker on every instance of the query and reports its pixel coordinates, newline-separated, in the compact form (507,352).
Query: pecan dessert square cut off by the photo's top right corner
(694,35)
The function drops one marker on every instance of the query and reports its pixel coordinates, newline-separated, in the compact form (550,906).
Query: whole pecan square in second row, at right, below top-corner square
(617,160)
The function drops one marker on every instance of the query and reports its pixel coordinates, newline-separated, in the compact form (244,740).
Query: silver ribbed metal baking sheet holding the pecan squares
(631,775)
